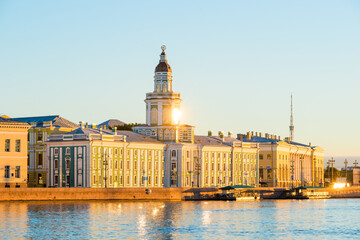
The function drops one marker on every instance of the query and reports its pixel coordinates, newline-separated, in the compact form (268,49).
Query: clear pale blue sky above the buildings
(235,64)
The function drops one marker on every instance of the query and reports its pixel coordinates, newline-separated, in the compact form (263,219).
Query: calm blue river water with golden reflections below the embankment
(307,219)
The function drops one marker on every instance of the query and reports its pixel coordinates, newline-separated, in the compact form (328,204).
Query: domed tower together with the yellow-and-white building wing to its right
(193,160)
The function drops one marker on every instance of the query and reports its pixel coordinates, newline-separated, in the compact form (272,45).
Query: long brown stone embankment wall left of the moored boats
(29,194)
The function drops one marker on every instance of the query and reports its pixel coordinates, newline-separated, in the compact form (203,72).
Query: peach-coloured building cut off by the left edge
(13,153)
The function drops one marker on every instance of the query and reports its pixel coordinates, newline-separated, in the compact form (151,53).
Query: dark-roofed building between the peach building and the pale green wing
(41,128)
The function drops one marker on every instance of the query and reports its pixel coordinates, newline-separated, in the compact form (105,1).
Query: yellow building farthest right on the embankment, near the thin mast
(284,163)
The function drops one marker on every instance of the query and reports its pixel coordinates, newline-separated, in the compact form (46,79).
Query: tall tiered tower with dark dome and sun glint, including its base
(163,108)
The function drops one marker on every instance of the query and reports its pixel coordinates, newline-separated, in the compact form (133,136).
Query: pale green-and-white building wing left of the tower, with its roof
(92,157)
